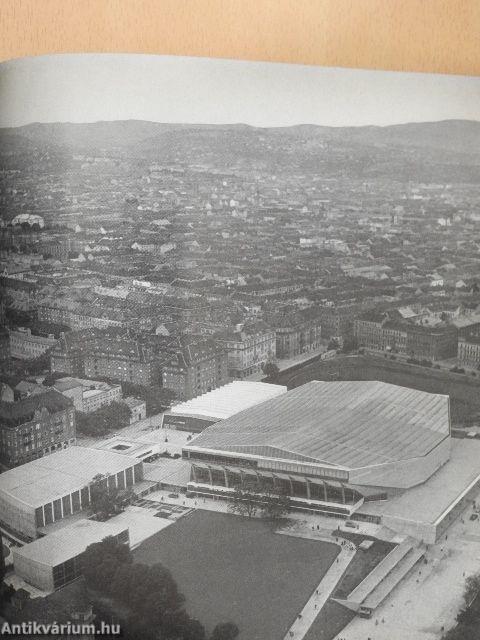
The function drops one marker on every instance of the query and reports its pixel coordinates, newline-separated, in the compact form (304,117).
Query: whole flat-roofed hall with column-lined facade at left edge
(54,487)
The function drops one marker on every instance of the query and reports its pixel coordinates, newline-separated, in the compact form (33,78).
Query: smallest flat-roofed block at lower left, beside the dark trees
(53,561)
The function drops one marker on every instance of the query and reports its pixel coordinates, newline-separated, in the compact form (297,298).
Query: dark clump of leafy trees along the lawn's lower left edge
(149,594)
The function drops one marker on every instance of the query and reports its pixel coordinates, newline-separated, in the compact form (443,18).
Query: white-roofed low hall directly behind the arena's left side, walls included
(197,414)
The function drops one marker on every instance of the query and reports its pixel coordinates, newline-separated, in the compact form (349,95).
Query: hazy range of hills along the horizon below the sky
(446,151)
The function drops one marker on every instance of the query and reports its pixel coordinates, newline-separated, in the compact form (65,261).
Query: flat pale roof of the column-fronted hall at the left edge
(57,474)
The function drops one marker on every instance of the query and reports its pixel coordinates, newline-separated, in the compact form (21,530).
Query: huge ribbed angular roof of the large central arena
(344,424)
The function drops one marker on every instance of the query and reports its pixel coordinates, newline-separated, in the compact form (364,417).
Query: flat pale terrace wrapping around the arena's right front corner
(429,501)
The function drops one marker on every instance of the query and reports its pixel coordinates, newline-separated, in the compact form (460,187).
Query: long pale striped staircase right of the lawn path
(373,589)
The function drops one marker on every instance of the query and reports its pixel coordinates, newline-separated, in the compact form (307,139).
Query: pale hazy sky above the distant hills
(91,87)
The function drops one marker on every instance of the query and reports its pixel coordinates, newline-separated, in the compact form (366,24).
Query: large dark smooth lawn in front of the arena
(239,570)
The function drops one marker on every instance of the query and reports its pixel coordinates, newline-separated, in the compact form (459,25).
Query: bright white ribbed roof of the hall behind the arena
(228,400)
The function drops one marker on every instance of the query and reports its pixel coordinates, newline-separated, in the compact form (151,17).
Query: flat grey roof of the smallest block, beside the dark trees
(68,542)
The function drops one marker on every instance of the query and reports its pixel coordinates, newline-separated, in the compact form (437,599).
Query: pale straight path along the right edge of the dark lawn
(319,597)
